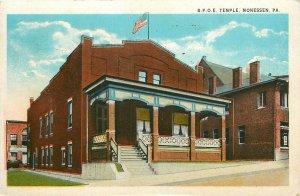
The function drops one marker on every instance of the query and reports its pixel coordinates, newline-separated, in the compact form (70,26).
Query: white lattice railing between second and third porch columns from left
(173,141)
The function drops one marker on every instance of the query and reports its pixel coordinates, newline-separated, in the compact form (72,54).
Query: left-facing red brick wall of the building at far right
(259,125)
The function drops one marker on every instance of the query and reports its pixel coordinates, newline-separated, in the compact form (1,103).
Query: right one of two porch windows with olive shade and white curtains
(180,124)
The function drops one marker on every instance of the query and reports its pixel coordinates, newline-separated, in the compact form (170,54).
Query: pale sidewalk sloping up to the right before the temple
(201,175)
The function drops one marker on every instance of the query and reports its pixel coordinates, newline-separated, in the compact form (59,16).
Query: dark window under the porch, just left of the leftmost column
(101,118)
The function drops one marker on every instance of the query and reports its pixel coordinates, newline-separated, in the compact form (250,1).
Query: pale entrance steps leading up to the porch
(134,161)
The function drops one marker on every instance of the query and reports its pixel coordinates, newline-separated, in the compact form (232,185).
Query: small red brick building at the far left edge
(16,141)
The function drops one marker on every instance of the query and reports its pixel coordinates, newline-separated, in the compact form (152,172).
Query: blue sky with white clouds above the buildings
(37,45)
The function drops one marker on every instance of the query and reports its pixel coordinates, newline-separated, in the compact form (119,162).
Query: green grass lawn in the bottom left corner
(23,178)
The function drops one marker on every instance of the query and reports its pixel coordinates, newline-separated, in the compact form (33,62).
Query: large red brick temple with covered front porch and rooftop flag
(108,99)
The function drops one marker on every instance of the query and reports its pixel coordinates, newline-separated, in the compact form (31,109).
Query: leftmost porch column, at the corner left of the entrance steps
(111,132)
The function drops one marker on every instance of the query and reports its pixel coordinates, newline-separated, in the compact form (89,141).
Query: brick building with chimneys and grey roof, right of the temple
(257,124)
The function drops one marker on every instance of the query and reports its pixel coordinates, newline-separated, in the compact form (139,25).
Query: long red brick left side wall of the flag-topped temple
(66,84)
